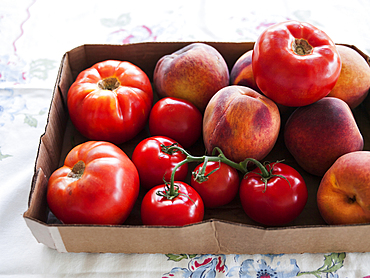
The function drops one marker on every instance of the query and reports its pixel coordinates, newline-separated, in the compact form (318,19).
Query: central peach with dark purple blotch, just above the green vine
(241,122)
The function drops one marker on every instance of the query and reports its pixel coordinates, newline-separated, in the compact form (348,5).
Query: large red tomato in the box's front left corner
(98,184)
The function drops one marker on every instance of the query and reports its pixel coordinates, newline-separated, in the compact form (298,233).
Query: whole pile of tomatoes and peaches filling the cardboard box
(236,115)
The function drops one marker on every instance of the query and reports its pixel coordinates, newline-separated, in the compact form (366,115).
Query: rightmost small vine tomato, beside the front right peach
(279,201)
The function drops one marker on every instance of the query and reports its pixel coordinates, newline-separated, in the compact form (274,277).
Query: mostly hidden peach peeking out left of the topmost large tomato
(242,72)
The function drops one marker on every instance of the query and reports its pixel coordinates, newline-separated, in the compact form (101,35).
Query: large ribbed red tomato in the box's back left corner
(110,101)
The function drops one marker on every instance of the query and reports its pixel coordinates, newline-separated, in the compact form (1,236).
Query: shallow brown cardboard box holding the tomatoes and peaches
(225,230)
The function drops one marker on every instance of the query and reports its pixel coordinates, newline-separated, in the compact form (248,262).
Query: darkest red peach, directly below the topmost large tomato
(317,134)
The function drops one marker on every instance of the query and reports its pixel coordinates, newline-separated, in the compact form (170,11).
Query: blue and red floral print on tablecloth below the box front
(251,266)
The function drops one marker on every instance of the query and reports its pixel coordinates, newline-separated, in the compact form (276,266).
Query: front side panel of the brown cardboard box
(233,239)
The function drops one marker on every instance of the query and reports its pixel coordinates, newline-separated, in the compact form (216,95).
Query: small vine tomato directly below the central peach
(220,187)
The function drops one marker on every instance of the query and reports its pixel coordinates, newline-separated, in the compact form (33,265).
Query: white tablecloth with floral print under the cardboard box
(34,34)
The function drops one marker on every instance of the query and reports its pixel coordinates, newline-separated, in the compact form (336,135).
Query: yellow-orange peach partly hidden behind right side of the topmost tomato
(354,80)
